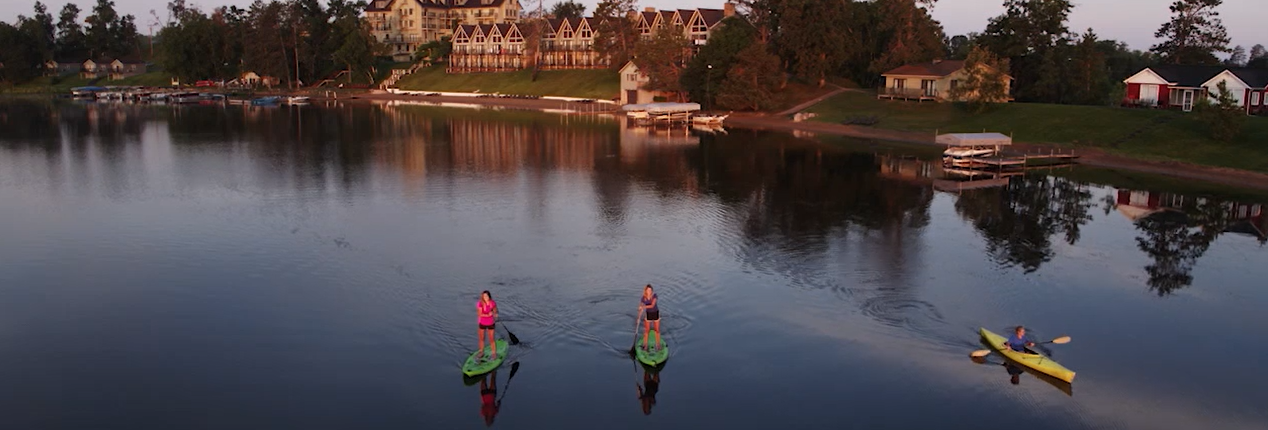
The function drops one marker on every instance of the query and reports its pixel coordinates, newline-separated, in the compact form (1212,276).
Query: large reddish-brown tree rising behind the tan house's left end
(909,32)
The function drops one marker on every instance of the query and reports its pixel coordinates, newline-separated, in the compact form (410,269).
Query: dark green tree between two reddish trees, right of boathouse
(709,68)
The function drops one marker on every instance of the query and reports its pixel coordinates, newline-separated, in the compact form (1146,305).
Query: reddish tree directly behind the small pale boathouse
(664,59)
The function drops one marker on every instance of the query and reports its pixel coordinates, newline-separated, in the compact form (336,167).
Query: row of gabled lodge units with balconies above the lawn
(566,44)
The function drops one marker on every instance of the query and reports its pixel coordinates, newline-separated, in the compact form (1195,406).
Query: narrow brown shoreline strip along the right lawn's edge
(1089,157)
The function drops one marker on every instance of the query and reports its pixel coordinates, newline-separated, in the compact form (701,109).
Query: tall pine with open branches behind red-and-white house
(1194,35)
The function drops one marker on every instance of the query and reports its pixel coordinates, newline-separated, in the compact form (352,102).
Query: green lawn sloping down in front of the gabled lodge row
(594,84)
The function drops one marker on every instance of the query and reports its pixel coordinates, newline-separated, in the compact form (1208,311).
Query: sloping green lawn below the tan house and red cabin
(1153,135)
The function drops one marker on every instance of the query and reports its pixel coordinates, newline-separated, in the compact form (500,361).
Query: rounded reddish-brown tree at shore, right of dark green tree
(753,81)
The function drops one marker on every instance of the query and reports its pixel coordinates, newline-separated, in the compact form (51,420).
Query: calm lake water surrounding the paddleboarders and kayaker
(318,268)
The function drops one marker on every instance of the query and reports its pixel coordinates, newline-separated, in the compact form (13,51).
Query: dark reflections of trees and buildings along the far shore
(789,202)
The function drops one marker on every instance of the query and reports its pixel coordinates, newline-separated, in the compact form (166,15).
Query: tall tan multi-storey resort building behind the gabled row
(404,26)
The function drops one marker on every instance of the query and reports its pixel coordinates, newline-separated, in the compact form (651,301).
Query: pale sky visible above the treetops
(1128,21)
